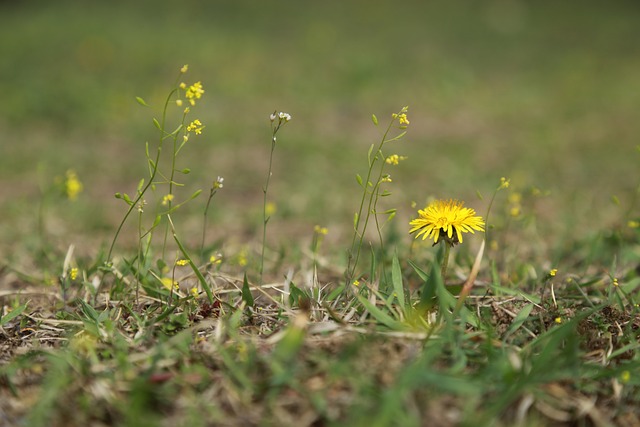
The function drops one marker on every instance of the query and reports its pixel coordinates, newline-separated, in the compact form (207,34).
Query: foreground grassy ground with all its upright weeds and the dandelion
(423,335)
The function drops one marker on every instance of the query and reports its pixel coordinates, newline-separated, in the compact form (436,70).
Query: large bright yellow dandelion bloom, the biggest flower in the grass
(446,219)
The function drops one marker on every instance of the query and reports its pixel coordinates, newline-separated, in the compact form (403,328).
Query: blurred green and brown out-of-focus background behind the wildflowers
(546,93)
